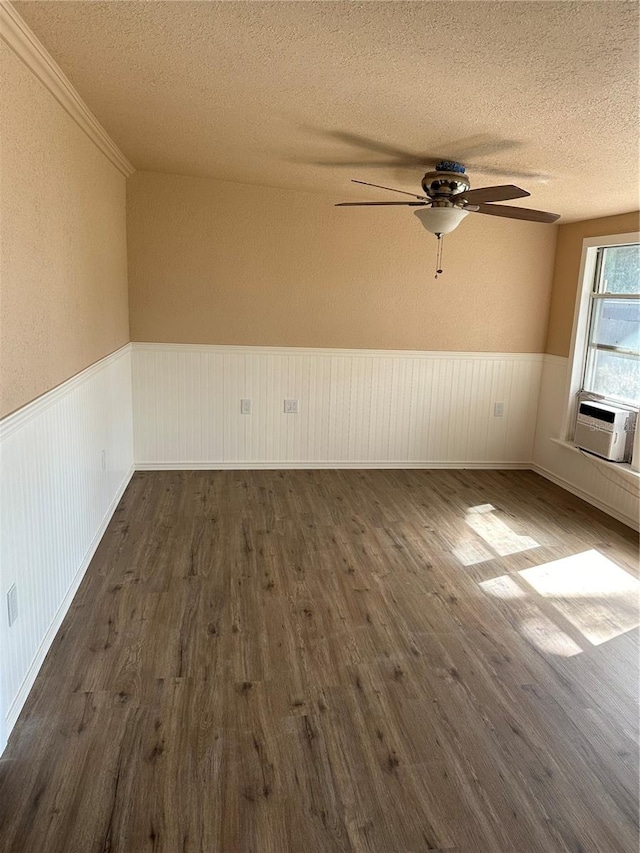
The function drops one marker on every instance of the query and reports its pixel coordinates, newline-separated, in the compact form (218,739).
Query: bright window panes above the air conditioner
(612,363)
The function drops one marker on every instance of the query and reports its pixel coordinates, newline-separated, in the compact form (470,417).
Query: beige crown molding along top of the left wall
(20,38)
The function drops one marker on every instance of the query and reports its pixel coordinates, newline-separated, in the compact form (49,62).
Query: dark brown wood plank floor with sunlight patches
(323,661)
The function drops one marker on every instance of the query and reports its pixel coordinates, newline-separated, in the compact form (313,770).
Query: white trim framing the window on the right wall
(578,351)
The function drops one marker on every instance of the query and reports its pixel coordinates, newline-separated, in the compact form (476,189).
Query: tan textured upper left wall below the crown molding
(63,262)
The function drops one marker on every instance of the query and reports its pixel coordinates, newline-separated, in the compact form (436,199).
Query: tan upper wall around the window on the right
(567,270)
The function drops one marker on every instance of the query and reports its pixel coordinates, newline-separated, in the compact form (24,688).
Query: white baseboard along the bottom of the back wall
(312,466)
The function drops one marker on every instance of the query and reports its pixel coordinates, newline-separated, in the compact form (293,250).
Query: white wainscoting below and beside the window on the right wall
(608,487)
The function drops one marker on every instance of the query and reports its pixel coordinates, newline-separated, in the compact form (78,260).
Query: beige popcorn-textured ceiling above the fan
(269,93)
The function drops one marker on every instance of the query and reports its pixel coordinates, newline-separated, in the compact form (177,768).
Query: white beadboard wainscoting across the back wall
(358,408)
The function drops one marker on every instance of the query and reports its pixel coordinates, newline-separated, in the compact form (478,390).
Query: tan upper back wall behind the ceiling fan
(225,263)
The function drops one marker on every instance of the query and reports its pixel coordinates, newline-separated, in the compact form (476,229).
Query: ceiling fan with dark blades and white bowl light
(449,199)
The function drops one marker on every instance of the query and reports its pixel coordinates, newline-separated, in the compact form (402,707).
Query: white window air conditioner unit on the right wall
(604,430)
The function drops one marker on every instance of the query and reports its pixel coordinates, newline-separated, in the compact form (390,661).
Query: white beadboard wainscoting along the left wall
(56,499)
